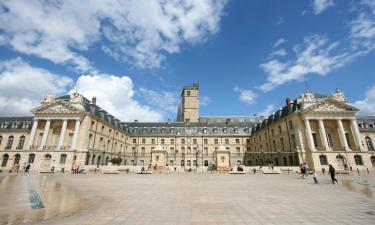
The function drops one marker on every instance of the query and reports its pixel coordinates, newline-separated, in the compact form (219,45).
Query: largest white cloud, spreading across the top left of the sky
(141,32)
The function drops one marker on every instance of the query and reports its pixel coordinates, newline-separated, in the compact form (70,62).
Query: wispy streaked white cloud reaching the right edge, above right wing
(320,56)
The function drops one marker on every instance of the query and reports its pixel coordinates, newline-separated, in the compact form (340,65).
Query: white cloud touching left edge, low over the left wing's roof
(22,86)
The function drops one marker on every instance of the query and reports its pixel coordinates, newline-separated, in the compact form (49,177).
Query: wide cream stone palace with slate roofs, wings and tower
(72,130)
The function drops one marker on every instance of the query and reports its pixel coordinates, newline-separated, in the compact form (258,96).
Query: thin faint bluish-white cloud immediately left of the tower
(162,100)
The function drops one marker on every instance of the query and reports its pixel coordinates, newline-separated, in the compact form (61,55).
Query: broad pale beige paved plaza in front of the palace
(186,199)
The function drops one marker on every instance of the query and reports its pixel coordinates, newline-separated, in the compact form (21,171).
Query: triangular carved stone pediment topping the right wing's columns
(331,105)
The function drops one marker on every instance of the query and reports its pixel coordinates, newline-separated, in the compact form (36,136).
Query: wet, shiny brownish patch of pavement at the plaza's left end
(23,197)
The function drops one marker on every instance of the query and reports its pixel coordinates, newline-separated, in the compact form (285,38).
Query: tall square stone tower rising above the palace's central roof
(188,110)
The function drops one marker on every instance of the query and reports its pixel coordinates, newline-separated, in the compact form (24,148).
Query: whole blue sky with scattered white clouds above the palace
(135,56)
